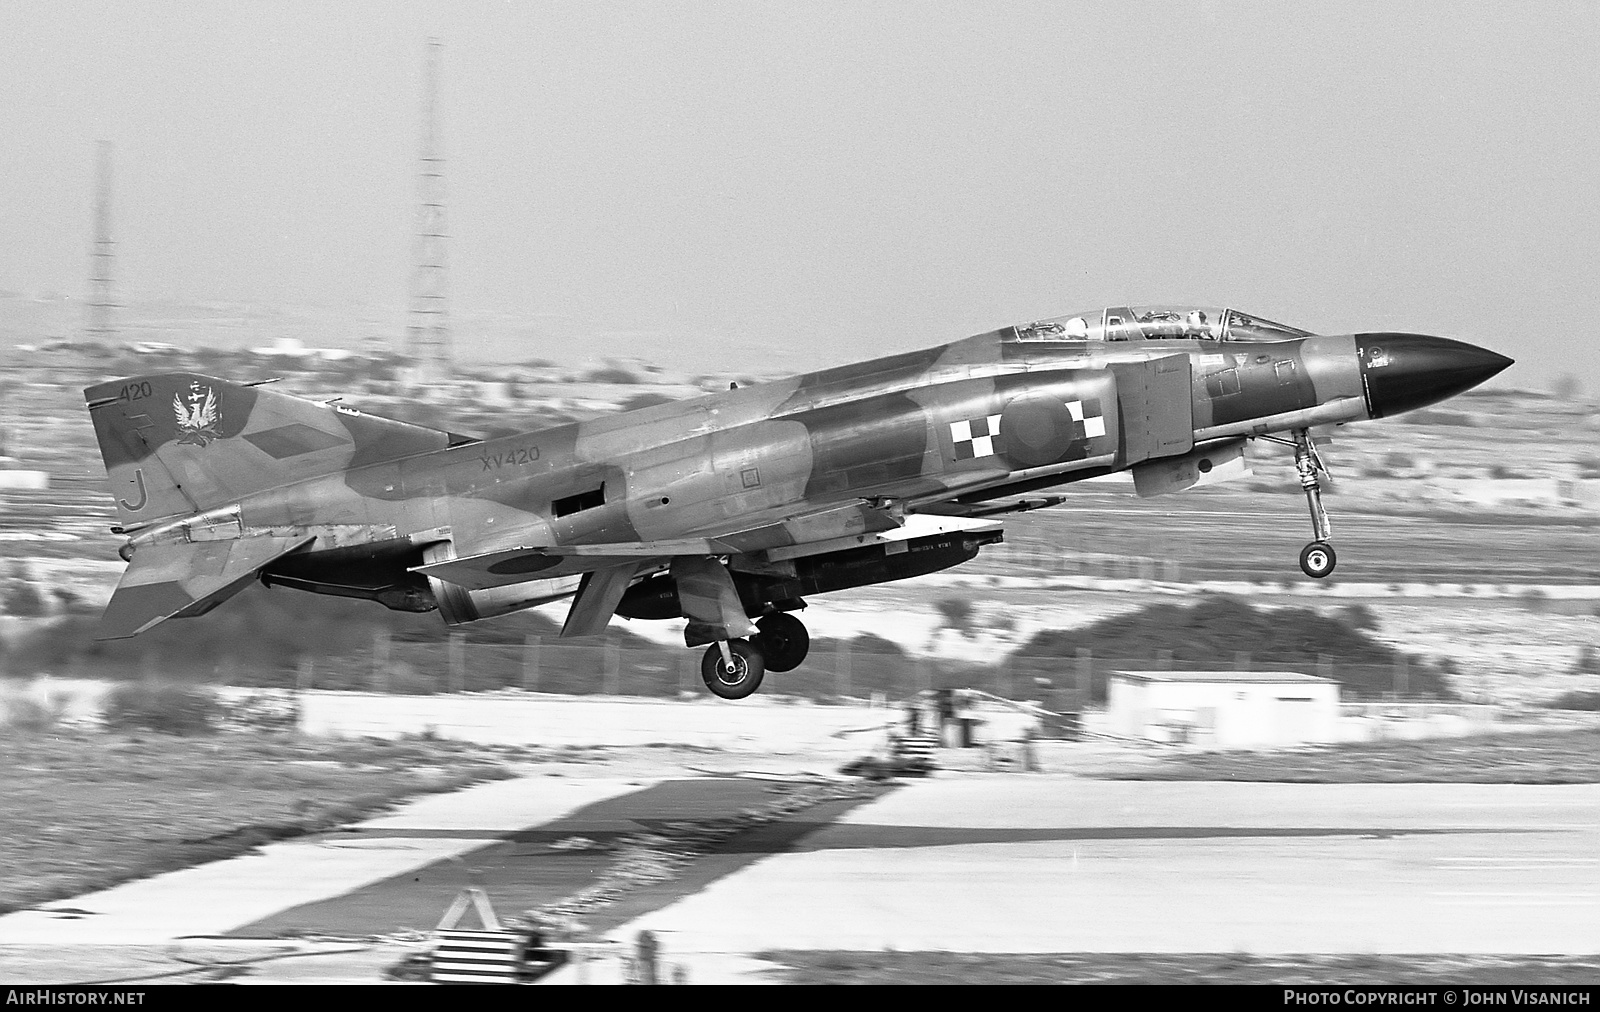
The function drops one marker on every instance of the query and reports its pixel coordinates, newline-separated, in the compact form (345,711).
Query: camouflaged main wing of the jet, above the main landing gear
(754,532)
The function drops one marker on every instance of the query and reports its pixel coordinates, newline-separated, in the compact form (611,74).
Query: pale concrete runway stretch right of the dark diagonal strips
(1014,864)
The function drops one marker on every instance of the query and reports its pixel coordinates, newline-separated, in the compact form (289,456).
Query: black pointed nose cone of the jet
(1409,371)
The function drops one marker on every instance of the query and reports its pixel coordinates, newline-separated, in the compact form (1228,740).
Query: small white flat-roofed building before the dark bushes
(1225,709)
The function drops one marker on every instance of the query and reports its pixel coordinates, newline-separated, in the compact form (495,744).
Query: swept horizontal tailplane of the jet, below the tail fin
(188,579)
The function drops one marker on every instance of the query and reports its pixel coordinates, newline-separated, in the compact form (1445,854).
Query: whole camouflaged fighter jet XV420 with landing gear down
(734,508)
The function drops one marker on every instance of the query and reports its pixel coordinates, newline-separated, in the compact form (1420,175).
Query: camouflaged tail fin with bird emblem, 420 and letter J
(178,443)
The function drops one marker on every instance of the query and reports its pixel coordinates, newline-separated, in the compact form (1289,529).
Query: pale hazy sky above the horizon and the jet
(812,183)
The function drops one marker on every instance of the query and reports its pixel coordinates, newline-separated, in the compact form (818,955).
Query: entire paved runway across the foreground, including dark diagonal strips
(958,862)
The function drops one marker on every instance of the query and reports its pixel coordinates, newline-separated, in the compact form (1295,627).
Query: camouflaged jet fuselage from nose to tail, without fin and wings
(1010,411)
